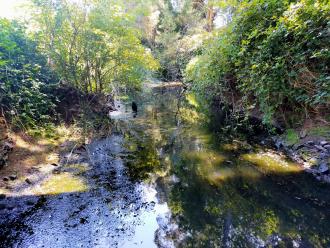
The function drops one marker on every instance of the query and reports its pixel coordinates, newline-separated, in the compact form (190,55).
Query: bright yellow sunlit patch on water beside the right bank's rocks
(270,162)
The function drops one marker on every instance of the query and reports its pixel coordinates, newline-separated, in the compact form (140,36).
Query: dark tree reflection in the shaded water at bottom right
(247,212)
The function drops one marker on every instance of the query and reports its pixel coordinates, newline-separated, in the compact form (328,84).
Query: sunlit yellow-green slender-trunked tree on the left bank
(93,45)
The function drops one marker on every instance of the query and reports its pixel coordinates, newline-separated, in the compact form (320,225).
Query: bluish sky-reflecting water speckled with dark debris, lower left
(110,213)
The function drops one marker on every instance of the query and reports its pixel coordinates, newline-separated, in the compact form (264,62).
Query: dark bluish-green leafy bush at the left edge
(25,78)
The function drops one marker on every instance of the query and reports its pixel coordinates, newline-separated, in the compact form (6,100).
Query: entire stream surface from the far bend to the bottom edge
(162,179)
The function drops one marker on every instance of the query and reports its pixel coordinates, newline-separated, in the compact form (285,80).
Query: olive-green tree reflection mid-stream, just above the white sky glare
(152,134)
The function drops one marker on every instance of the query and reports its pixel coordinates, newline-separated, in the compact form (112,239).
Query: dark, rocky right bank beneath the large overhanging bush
(308,145)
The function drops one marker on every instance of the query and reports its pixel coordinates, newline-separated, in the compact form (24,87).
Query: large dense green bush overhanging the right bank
(273,57)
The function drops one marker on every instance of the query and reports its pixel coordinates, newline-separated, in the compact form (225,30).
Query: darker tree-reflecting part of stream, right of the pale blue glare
(222,192)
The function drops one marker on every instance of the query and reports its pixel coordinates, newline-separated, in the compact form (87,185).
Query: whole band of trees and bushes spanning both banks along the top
(273,57)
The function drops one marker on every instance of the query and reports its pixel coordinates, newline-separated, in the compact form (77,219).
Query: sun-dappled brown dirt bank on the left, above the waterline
(37,153)
